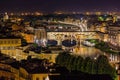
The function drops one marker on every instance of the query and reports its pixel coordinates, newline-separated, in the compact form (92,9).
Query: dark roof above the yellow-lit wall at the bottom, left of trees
(35,66)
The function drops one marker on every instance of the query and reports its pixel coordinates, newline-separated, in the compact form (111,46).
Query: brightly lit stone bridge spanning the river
(78,36)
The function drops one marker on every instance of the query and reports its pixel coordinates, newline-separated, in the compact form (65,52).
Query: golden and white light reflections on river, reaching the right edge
(92,52)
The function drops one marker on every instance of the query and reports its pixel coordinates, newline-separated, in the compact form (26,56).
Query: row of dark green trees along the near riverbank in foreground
(77,63)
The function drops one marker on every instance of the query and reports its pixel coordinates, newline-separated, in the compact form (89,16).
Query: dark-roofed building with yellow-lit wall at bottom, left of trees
(37,69)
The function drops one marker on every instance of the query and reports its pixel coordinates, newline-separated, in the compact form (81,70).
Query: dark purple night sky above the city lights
(59,5)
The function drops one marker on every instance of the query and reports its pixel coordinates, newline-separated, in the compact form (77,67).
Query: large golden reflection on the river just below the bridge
(85,51)
